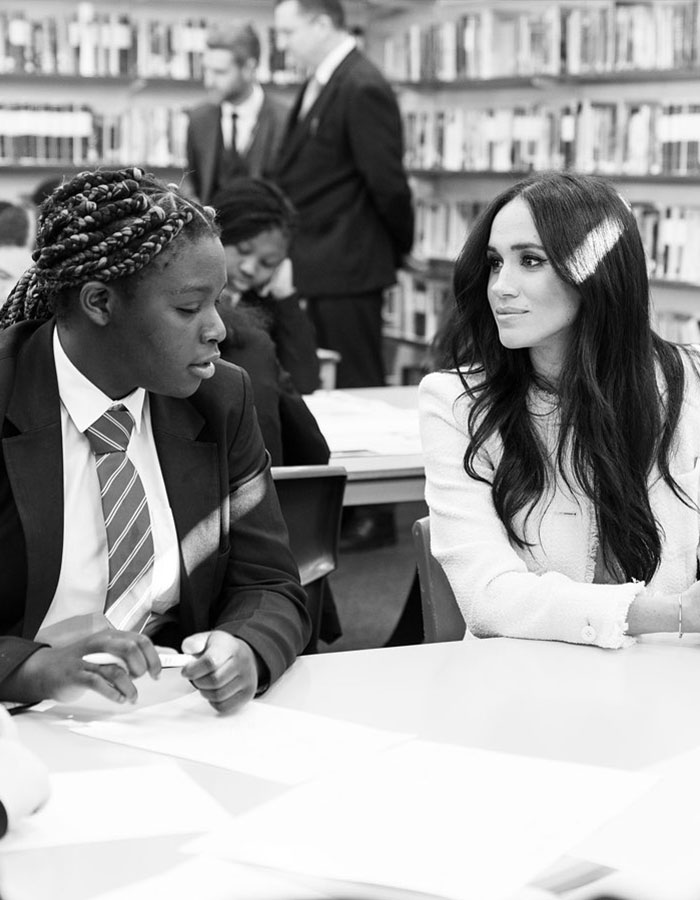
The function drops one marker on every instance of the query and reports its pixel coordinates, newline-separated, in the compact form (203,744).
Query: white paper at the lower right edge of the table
(658,834)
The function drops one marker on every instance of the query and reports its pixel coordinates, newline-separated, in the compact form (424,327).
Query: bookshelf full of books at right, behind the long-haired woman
(490,91)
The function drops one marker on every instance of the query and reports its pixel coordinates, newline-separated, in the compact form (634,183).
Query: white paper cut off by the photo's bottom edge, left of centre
(213,879)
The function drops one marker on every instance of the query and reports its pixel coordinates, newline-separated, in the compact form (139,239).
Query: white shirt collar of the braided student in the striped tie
(84,402)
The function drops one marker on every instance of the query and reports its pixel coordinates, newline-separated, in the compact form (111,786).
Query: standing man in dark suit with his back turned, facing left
(341,163)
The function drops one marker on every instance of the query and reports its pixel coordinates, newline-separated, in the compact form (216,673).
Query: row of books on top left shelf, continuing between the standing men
(92,42)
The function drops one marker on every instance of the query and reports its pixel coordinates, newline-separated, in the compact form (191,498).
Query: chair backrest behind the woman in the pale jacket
(442,619)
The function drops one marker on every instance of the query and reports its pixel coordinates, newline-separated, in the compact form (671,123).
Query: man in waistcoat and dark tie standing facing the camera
(239,131)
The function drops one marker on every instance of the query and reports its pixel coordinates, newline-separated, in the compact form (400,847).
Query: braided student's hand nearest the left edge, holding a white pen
(61,673)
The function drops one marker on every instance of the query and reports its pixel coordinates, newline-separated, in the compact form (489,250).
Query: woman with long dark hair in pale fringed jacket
(562,435)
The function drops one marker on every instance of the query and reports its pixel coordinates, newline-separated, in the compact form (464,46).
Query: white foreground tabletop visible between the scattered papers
(624,709)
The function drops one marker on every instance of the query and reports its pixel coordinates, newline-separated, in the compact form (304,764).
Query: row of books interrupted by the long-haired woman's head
(670,234)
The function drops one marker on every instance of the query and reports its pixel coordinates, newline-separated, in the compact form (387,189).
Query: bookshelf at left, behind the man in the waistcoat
(108,81)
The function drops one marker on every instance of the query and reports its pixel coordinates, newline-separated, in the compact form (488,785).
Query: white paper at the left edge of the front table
(117,804)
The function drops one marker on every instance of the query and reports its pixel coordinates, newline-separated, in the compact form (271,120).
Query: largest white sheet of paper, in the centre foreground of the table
(449,821)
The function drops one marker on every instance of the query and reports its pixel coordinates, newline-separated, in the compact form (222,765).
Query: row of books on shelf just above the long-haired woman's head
(640,138)
